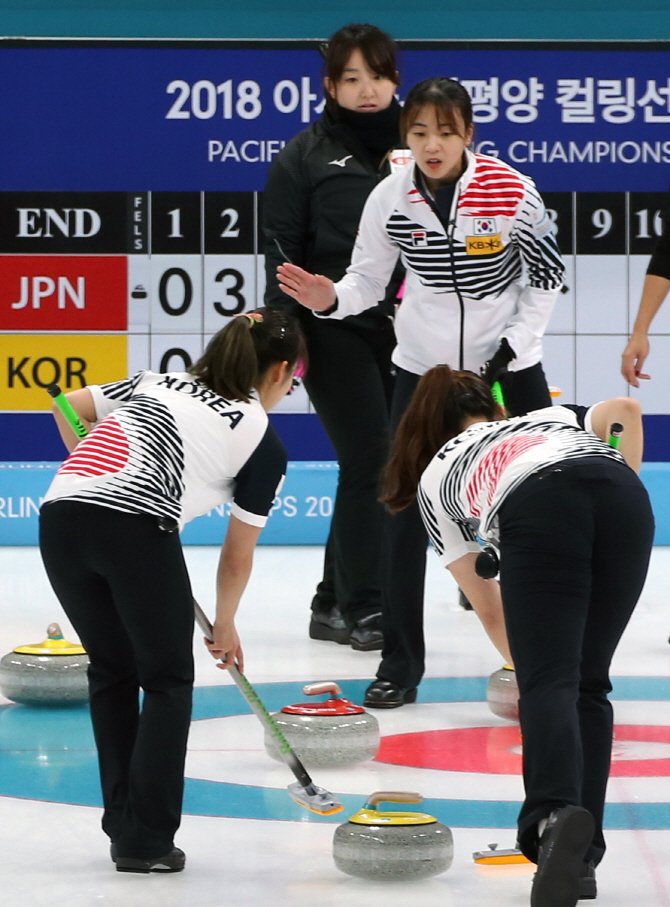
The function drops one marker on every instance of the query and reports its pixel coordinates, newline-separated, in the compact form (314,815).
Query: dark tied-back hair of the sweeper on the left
(241,353)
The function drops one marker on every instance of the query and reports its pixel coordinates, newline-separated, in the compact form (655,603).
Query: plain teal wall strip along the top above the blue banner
(537,19)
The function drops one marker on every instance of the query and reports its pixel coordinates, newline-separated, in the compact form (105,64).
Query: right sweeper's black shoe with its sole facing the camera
(564,842)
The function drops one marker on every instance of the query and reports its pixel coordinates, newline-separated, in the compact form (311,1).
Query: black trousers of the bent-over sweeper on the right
(575,542)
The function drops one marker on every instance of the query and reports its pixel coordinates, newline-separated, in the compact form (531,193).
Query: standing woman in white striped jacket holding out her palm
(483,273)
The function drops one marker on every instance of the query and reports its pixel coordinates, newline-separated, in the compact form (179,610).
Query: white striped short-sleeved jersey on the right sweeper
(466,482)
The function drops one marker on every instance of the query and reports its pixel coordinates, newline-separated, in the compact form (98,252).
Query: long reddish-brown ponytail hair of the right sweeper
(443,401)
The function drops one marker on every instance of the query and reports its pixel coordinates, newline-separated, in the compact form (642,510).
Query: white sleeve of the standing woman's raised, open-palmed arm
(373,259)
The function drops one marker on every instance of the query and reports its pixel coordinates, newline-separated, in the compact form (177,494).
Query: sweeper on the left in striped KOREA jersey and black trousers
(161,450)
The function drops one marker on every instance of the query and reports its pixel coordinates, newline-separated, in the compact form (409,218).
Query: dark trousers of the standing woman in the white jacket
(405,541)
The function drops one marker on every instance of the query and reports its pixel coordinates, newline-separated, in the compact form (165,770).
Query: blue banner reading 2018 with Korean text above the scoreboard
(179,116)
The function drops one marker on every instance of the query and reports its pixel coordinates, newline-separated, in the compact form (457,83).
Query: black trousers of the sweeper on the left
(124,586)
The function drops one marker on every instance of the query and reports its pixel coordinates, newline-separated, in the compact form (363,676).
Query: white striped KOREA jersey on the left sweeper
(164,444)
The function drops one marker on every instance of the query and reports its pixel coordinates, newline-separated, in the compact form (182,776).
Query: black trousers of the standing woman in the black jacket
(350,382)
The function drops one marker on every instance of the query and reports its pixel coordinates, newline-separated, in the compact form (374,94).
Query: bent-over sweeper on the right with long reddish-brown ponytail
(573,526)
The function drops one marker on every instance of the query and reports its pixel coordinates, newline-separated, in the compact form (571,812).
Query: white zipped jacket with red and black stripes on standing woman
(498,253)
